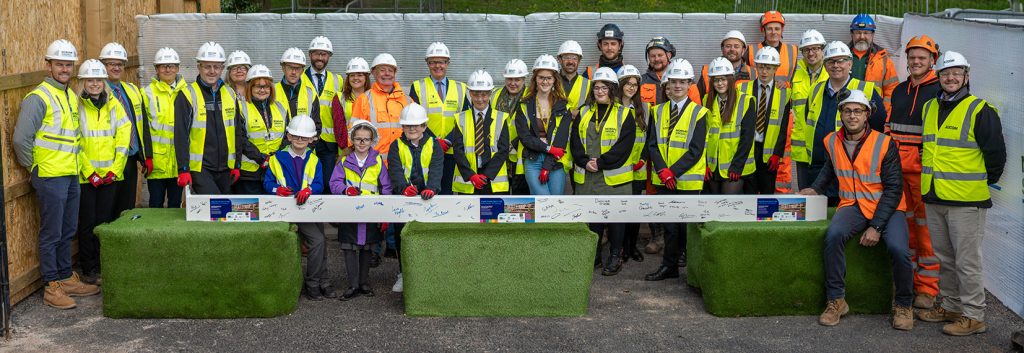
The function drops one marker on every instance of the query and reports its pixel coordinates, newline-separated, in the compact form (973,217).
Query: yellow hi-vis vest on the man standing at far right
(952,159)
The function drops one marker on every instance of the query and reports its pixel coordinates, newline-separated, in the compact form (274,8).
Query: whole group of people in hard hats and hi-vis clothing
(907,163)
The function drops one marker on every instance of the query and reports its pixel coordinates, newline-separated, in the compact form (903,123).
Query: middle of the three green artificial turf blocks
(490,270)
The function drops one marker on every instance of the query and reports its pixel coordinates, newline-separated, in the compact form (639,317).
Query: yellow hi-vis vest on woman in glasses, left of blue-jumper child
(267,140)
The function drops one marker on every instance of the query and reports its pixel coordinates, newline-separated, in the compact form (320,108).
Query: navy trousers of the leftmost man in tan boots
(59,205)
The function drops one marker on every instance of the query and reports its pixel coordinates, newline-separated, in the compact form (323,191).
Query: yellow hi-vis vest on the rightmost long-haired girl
(723,140)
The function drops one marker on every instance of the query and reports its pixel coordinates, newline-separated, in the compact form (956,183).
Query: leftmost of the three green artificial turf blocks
(159,267)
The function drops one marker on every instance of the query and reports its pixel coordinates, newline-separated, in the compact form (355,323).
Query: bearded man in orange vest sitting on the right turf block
(867,165)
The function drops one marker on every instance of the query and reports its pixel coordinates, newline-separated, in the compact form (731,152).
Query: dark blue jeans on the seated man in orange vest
(849,223)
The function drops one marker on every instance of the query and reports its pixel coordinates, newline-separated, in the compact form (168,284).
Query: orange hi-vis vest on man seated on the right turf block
(861,180)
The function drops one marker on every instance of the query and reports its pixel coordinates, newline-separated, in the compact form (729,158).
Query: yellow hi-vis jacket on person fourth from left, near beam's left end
(160,108)
